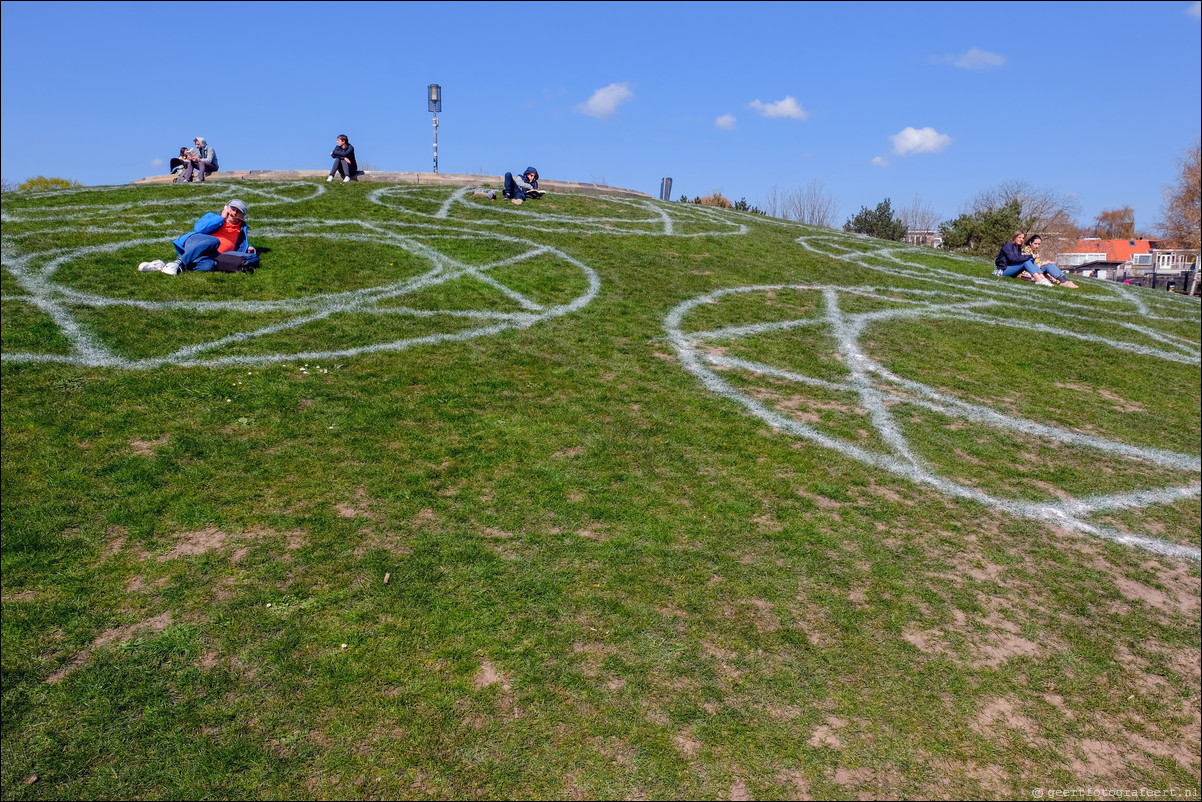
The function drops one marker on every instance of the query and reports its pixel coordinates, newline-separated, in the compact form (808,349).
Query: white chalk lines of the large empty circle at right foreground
(879,397)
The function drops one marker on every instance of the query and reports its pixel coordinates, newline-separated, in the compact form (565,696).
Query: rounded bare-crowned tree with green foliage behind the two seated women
(996,215)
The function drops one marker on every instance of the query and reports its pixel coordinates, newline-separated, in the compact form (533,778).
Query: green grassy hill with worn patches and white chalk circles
(590,498)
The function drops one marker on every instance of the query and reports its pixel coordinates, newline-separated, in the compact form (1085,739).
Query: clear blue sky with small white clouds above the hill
(942,100)
